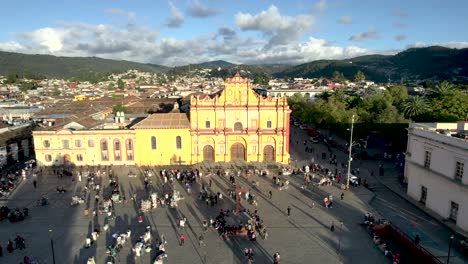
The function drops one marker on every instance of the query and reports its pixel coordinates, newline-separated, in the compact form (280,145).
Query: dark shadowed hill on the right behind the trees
(434,62)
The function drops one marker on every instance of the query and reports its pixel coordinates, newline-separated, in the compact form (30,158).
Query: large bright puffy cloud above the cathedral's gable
(279,29)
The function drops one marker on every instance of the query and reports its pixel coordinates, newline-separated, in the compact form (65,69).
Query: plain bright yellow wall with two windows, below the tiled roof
(166,151)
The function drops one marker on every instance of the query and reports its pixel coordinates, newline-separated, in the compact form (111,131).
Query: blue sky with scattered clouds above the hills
(179,32)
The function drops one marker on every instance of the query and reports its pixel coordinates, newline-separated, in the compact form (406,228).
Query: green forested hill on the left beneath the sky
(67,67)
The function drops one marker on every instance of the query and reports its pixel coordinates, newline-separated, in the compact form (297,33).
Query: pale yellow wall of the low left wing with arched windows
(91,154)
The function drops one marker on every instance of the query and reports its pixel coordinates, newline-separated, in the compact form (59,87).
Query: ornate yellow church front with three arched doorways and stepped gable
(239,124)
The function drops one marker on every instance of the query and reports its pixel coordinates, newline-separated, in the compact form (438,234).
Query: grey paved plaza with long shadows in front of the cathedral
(303,237)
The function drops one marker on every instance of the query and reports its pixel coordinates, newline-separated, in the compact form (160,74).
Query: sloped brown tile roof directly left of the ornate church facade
(166,120)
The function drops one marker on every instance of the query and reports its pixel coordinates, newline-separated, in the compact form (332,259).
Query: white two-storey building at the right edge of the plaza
(436,169)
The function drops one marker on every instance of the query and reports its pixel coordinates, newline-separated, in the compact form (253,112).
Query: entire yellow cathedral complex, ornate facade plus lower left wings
(236,124)
